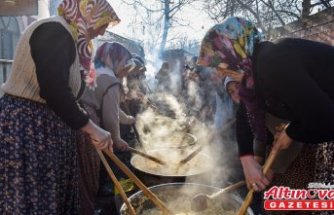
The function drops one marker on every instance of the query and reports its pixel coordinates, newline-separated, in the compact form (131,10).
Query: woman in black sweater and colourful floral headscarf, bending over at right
(291,79)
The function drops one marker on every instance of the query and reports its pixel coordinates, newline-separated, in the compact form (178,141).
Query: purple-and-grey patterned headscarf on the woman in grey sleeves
(113,55)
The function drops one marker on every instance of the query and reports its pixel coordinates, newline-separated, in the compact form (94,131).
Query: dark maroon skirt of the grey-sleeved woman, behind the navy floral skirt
(89,166)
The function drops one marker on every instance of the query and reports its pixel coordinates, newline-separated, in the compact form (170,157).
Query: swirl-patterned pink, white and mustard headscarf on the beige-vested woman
(83,16)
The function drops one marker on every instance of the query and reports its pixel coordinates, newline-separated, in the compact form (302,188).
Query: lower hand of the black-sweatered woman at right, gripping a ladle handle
(253,173)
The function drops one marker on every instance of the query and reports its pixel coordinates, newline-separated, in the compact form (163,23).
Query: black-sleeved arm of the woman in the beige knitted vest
(53,51)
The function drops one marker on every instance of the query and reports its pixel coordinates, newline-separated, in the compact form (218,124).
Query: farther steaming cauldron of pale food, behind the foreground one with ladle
(151,173)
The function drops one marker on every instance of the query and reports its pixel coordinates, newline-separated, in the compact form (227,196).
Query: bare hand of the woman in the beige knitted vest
(101,138)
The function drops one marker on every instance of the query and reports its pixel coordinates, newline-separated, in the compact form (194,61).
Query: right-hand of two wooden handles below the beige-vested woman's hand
(140,184)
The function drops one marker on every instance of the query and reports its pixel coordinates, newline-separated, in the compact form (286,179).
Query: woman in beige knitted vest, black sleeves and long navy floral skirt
(39,114)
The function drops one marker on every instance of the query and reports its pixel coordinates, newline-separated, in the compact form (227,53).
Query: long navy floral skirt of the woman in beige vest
(38,166)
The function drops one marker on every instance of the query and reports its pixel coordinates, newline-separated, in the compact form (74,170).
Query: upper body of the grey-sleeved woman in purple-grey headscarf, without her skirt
(113,62)
